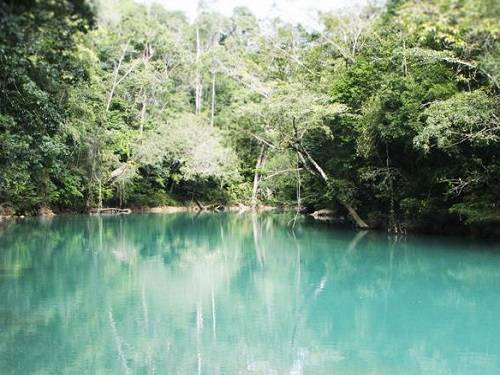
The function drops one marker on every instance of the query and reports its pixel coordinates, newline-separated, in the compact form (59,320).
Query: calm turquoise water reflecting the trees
(229,294)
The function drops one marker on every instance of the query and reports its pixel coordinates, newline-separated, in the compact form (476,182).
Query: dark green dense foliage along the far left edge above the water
(37,69)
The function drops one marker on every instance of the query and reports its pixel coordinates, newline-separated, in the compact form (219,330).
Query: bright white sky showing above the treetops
(295,11)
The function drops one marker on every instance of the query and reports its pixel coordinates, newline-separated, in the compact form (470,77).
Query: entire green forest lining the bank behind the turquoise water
(388,116)
